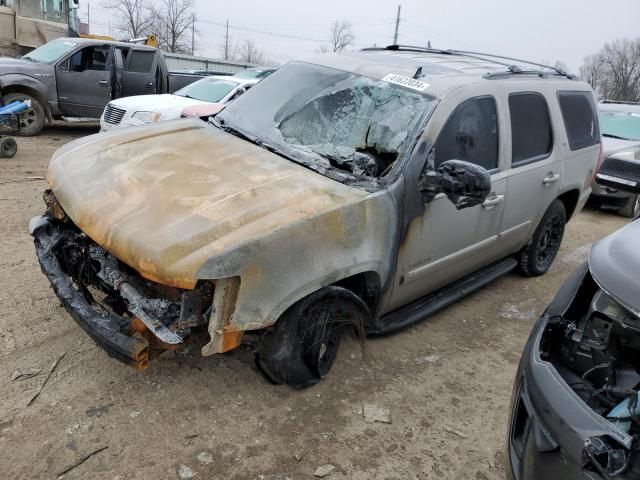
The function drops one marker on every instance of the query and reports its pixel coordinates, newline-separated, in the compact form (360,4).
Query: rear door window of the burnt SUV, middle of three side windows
(531,134)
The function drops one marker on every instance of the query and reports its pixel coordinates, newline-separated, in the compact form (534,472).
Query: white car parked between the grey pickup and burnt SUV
(143,109)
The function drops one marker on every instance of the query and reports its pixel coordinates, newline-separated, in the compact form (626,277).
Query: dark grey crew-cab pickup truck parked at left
(77,77)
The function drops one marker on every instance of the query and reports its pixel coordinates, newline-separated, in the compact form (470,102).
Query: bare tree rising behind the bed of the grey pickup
(173,22)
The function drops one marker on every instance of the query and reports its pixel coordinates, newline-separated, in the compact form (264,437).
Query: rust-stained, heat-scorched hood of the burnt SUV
(165,198)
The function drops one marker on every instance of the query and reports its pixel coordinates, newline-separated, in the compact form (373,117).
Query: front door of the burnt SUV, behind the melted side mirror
(445,244)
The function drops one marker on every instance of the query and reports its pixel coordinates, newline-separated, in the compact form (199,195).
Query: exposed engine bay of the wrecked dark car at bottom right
(595,346)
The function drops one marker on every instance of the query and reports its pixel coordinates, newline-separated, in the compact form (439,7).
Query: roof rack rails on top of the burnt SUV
(512,69)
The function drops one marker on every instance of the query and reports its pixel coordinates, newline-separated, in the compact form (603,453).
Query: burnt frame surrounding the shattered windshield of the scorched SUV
(369,183)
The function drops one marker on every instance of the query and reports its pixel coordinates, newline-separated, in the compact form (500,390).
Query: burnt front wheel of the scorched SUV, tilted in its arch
(301,347)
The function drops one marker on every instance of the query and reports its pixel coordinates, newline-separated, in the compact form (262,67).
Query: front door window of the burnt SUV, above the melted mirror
(470,134)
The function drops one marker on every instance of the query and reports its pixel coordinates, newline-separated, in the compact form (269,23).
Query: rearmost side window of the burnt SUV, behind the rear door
(579,115)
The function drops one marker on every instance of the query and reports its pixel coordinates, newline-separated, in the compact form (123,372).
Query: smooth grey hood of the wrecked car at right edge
(614,262)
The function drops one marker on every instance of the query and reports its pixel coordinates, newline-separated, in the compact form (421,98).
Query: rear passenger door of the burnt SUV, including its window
(534,168)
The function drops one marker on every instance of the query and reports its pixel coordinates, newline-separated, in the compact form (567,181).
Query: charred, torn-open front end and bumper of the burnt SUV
(126,314)
